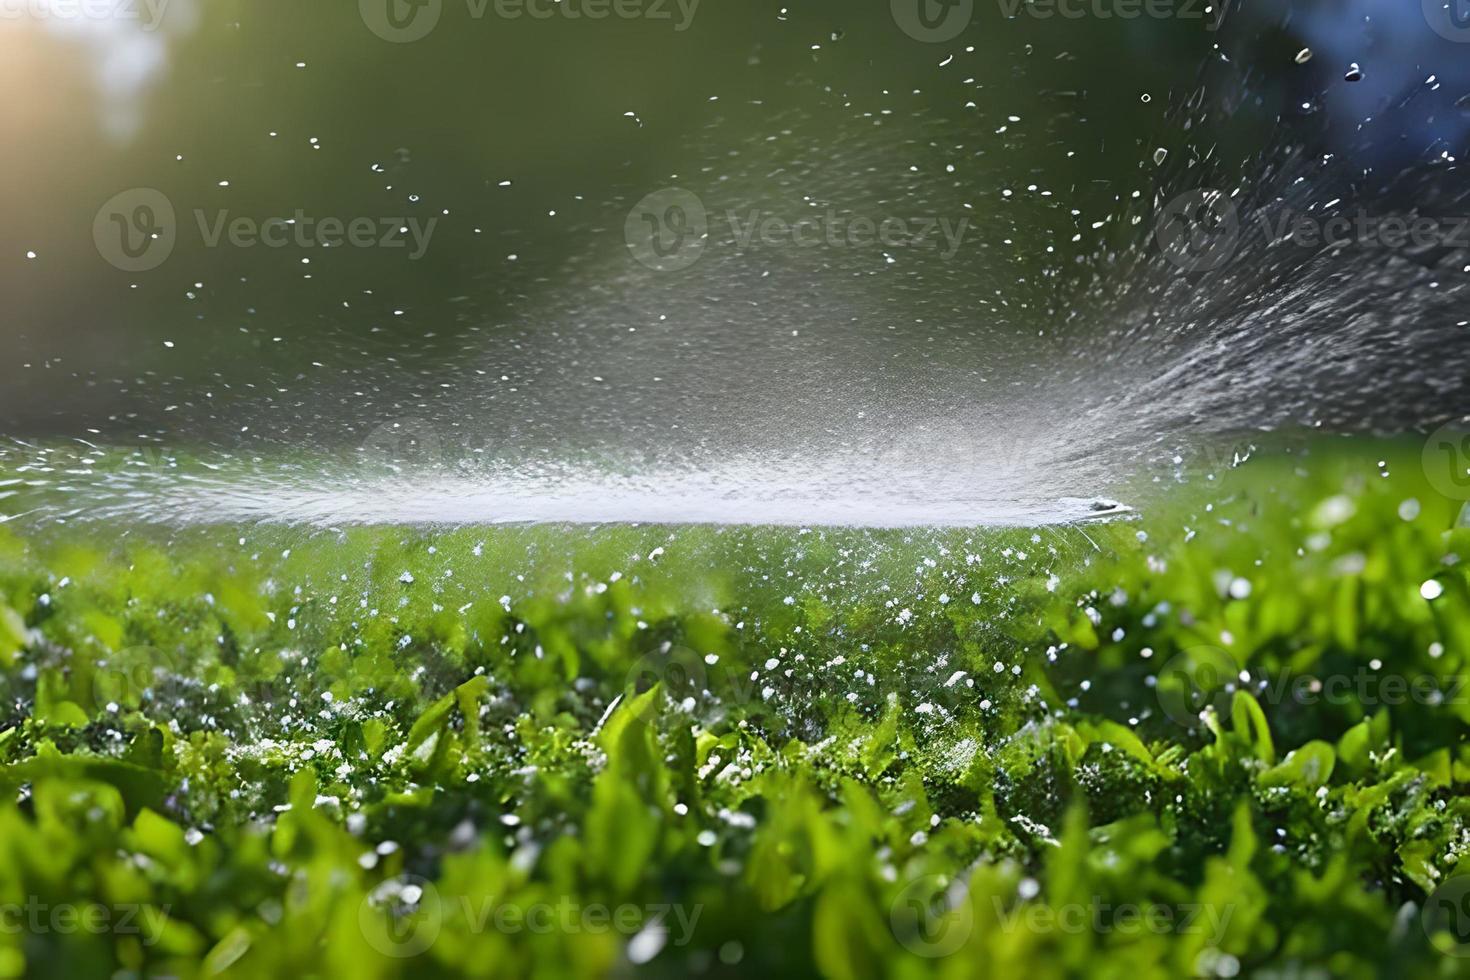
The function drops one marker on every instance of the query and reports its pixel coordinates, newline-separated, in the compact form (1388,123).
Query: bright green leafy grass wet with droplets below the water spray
(548,753)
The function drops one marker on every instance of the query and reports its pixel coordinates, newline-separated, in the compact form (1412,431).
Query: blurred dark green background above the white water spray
(527,133)
